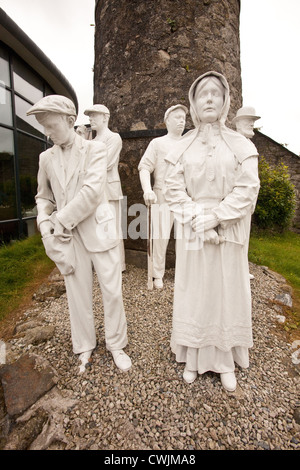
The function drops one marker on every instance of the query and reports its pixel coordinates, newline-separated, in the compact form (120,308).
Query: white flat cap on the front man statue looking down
(54,103)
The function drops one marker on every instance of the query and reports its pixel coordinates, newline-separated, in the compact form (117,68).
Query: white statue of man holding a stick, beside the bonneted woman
(153,162)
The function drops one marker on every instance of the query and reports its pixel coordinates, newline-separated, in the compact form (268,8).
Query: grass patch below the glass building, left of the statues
(24,265)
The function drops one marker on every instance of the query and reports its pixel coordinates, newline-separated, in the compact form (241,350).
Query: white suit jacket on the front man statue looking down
(78,195)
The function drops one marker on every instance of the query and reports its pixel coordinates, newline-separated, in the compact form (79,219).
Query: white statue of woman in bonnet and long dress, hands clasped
(211,185)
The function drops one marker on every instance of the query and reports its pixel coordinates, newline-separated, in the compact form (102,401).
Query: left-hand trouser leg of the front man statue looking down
(79,288)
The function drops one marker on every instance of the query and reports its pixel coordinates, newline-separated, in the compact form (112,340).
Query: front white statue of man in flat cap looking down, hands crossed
(78,229)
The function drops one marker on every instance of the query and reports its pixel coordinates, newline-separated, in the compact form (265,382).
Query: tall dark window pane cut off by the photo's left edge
(7,176)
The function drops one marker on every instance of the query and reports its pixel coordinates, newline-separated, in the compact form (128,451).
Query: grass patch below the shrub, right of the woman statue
(281,253)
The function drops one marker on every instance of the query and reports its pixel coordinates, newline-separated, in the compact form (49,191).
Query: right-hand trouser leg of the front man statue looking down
(108,268)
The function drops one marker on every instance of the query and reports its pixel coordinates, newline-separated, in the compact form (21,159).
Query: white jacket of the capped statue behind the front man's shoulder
(113,142)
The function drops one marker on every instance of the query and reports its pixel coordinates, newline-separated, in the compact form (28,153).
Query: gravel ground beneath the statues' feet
(151,407)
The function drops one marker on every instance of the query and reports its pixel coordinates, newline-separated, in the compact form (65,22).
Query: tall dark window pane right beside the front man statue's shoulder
(29,150)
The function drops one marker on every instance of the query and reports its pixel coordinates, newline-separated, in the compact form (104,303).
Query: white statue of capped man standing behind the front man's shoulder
(99,118)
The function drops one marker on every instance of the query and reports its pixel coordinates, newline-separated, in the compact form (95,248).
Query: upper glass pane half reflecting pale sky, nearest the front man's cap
(26,82)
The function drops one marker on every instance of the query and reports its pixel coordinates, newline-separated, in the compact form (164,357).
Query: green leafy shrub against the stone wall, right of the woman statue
(276,201)
